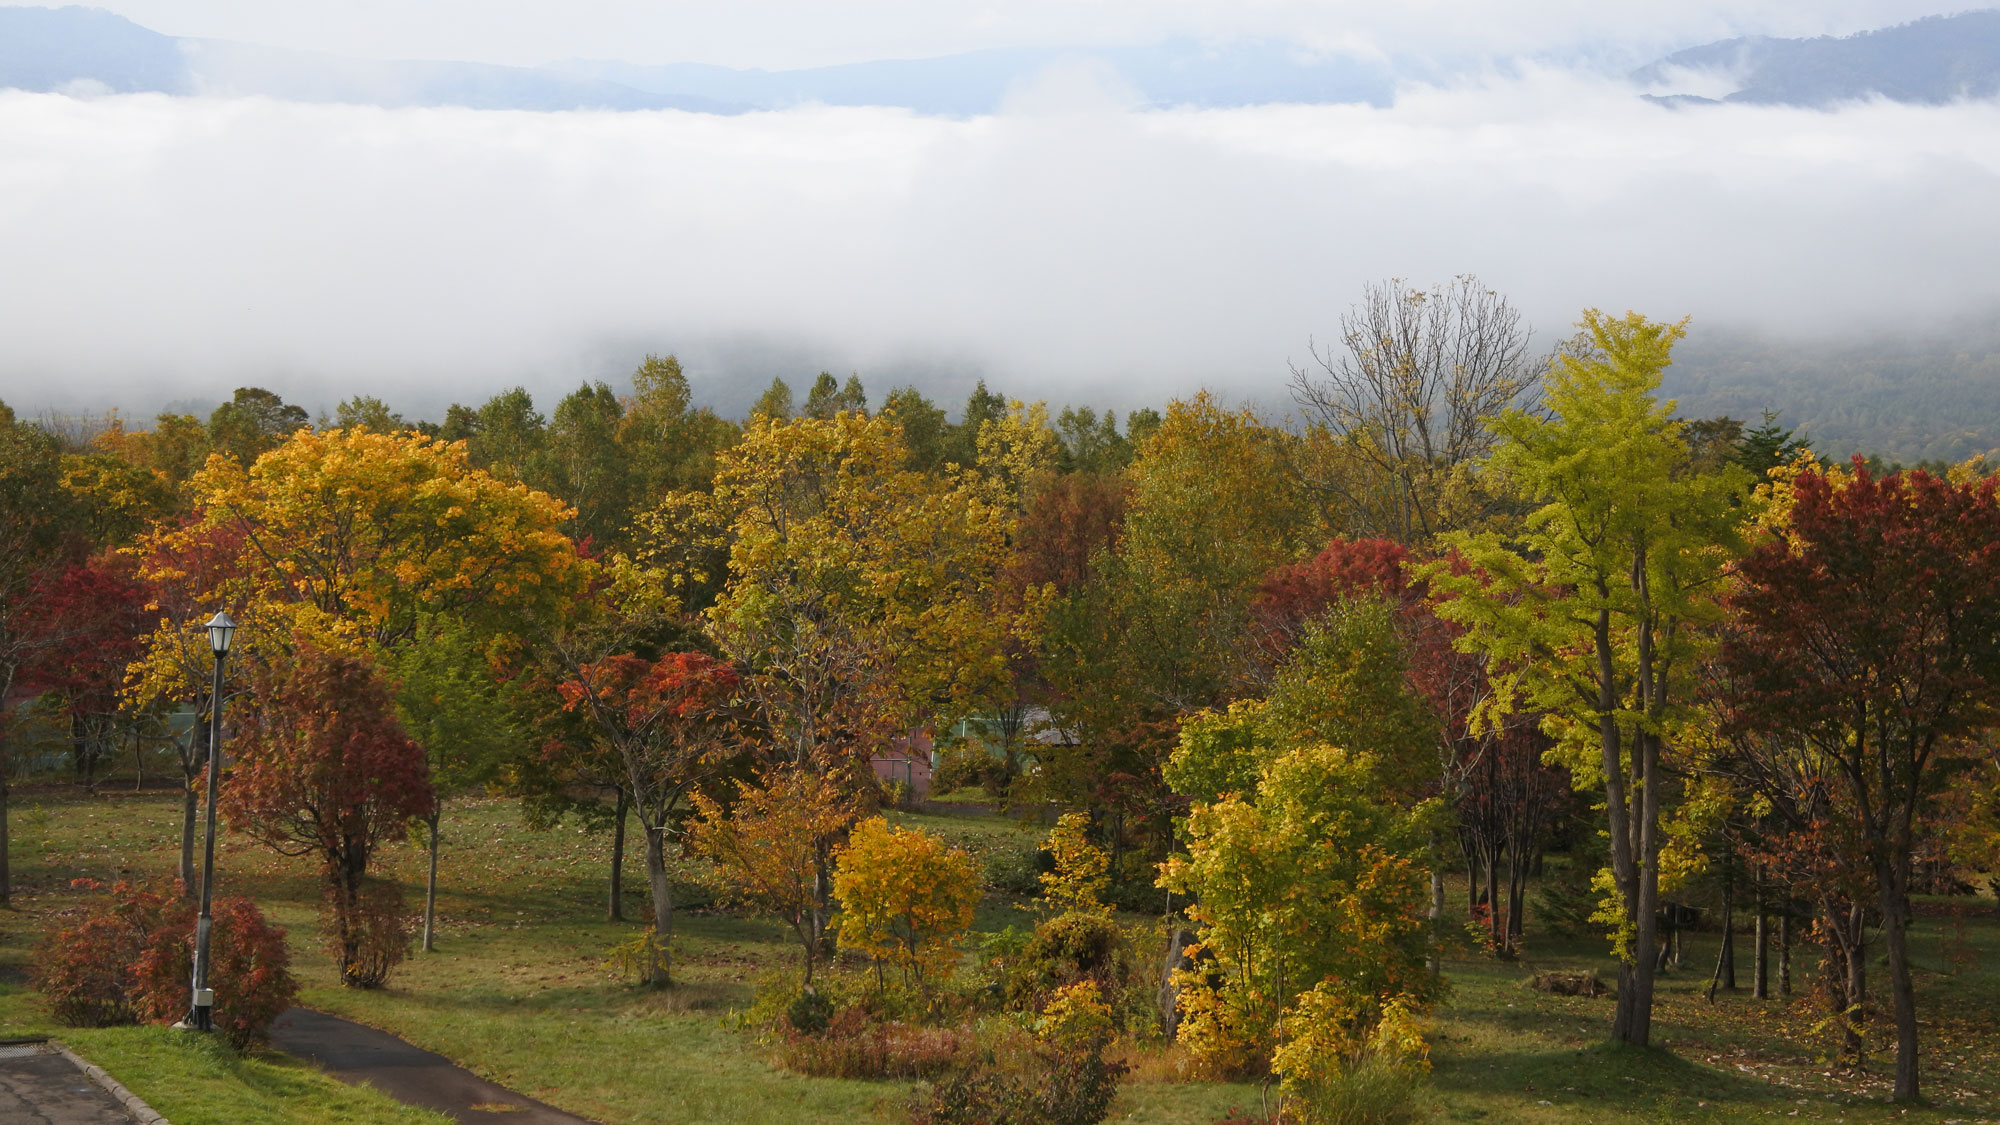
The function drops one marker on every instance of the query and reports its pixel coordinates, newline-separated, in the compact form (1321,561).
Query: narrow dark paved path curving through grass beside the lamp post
(359,1054)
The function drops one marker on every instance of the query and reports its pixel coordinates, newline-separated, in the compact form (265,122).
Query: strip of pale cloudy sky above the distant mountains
(811,33)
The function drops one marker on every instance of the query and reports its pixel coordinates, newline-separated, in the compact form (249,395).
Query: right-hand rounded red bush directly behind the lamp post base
(249,970)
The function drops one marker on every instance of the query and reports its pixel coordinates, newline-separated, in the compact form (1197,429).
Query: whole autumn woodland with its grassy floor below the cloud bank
(1017,762)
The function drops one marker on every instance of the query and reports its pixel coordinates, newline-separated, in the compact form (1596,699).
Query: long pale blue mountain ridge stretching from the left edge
(81,51)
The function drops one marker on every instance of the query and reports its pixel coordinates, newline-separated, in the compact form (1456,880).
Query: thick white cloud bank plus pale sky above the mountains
(1071,247)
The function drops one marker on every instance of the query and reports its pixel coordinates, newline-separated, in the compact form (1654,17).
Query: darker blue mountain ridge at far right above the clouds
(1931,61)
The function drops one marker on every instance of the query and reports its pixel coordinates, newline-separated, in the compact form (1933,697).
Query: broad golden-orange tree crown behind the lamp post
(357,541)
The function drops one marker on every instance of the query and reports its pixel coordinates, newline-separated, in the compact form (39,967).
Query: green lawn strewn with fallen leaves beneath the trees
(519,994)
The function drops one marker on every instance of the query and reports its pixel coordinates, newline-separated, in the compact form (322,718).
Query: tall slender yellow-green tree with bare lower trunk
(1599,598)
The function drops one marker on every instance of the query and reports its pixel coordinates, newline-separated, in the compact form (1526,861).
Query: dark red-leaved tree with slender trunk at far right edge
(1869,632)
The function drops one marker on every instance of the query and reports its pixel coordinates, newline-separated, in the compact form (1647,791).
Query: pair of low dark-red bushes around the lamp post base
(133,960)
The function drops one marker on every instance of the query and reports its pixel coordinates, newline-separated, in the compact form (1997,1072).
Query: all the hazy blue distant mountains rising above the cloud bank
(89,51)
